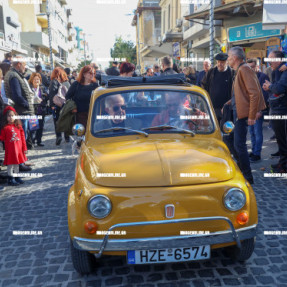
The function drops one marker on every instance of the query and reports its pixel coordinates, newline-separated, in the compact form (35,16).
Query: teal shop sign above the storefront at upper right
(251,31)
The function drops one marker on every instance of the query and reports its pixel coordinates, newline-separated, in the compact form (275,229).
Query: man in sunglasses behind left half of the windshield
(115,107)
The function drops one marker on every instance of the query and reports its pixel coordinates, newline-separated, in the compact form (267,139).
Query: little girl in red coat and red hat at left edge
(15,145)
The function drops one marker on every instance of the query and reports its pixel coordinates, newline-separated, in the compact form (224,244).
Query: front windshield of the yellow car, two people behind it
(151,111)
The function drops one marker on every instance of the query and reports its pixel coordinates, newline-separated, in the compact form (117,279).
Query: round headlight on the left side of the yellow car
(100,206)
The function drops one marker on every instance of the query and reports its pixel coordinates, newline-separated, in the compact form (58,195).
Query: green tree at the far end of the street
(124,49)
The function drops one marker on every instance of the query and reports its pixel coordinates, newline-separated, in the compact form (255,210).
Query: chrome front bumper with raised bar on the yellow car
(218,237)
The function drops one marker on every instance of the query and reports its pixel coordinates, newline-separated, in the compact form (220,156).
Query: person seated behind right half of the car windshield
(174,111)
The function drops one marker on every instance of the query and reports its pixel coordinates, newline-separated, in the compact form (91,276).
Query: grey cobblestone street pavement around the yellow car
(44,260)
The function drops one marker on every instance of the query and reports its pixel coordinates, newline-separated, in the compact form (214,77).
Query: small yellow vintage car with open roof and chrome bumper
(154,180)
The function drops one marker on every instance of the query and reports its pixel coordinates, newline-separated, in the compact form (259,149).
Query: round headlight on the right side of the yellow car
(234,199)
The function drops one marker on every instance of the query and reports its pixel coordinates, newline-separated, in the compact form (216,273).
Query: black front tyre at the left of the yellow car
(83,261)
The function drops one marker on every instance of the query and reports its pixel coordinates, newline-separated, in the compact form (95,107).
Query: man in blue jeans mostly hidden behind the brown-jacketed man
(256,131)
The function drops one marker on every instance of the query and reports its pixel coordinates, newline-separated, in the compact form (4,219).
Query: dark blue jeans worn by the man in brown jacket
(240,136)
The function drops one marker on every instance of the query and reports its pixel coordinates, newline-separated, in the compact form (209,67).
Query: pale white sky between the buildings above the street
(102,21)
